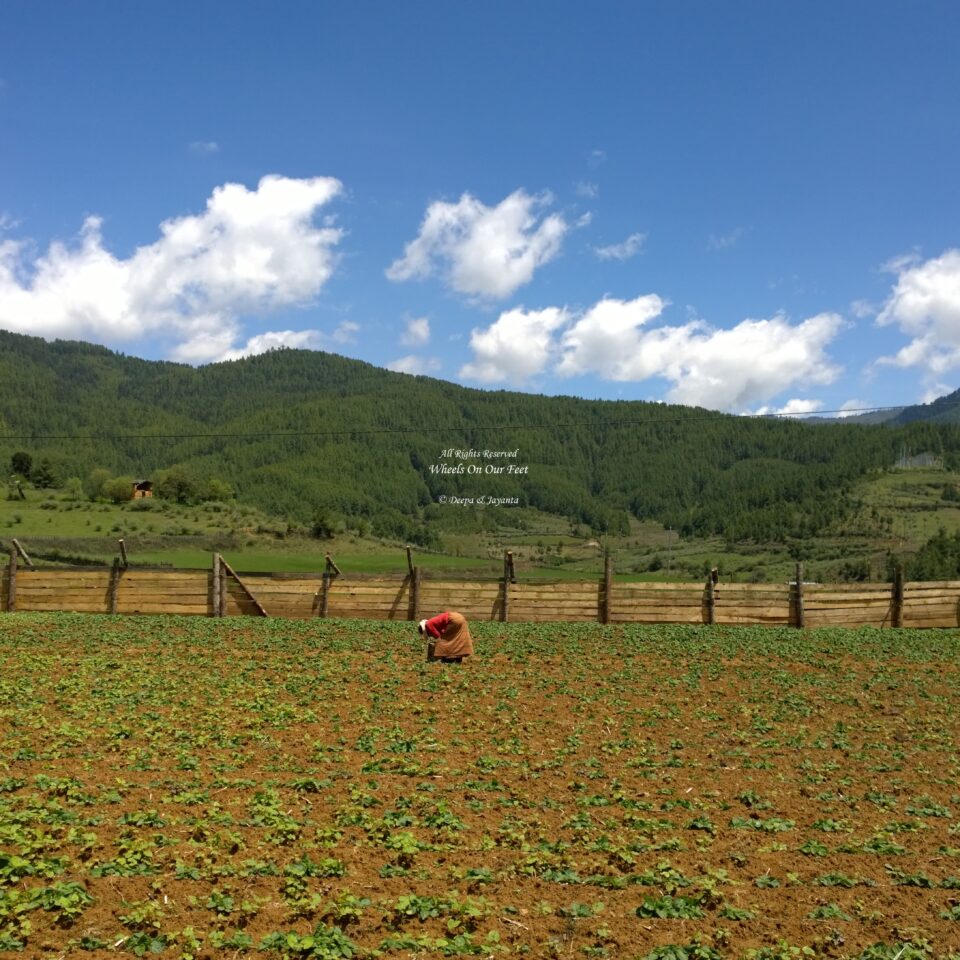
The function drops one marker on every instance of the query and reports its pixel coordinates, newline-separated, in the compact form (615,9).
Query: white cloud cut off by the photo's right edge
(925,305)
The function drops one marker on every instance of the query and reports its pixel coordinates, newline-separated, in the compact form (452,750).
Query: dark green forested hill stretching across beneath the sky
(294,431)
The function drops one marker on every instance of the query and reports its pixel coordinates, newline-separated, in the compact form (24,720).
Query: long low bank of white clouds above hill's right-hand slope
(733,369)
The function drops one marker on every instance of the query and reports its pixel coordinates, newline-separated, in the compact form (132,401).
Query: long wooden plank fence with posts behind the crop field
(221,592)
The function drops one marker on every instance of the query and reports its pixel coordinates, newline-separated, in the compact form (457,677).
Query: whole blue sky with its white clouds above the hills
(748,206)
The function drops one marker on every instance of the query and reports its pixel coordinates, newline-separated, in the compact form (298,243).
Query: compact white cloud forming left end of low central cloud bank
(518,346)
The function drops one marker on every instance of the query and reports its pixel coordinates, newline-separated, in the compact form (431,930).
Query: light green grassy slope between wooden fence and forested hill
(901,510)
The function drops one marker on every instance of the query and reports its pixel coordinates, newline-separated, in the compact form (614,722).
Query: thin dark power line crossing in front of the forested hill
(842,413)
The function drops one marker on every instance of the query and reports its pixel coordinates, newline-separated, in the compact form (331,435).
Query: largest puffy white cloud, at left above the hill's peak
(250,251)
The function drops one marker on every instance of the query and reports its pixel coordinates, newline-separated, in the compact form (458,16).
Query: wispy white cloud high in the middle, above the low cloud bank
(485,251)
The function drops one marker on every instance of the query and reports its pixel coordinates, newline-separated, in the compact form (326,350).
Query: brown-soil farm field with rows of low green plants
(221,788)
